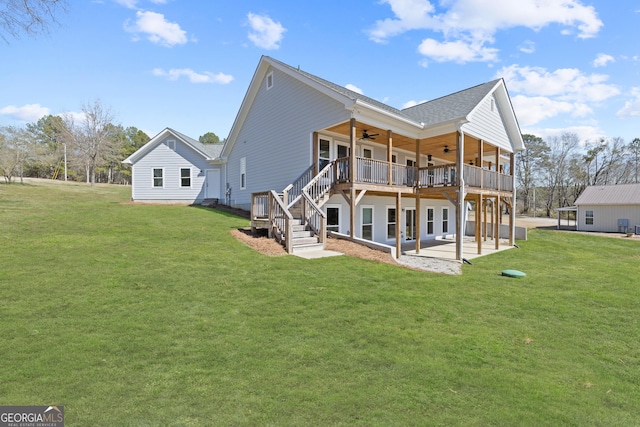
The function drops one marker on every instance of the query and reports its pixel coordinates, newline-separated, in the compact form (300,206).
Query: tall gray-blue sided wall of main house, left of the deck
(276,137)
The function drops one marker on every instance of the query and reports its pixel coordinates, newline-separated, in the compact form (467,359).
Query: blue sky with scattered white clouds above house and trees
(569,65)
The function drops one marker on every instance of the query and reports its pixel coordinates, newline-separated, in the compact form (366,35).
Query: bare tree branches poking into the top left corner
(31,17)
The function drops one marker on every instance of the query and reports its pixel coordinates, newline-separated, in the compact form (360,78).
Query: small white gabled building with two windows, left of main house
(173,168)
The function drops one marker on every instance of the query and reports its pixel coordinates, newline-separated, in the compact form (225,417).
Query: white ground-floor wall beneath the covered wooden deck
(380,205)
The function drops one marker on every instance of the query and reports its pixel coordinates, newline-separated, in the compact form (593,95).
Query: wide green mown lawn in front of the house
(135,315)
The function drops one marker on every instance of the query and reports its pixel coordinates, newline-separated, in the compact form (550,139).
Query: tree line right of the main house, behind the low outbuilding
(554,172)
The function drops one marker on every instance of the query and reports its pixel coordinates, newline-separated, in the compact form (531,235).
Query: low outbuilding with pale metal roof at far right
(609,208)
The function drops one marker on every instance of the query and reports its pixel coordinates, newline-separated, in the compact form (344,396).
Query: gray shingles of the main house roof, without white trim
(451,107)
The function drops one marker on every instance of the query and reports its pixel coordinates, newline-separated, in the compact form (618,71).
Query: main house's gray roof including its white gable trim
(445,110)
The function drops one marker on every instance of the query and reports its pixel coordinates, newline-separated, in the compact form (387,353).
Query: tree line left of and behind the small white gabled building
(85,147)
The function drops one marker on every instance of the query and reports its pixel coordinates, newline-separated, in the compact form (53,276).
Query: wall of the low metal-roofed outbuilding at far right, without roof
(605,217)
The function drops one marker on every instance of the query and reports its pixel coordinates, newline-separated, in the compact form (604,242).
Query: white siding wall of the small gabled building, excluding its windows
(171,161)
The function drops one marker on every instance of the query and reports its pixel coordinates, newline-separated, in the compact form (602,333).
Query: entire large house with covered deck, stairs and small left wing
(308,157)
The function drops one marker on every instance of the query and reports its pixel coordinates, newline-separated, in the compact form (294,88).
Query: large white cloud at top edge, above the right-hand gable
(468,25)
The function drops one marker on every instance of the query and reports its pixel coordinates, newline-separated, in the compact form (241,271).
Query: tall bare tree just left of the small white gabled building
(92,138)
